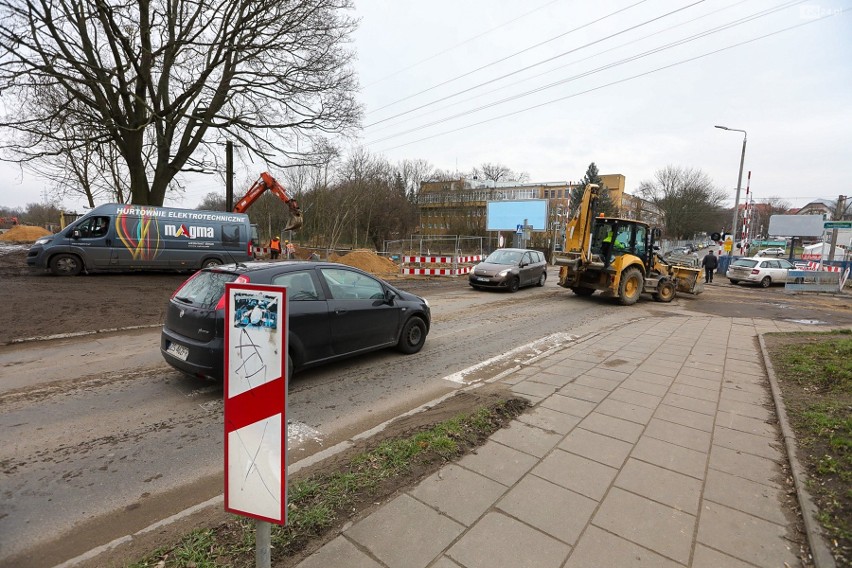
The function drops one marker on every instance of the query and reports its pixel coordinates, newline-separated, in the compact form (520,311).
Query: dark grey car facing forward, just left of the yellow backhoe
(510,269)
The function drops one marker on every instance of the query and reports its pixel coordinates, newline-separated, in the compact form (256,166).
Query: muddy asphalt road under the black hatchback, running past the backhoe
(100,438)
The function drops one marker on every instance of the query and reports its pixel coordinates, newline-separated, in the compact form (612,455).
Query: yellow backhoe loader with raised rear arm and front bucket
(618,257)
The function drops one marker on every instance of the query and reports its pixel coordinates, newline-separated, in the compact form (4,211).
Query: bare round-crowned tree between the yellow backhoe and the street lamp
(687,199)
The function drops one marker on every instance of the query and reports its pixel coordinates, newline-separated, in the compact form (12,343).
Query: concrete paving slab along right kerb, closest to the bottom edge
(744,536)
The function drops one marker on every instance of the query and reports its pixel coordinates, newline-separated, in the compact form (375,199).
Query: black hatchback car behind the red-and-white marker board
(335,311)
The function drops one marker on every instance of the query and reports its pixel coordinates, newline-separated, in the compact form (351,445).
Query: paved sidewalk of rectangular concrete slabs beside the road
(653,445)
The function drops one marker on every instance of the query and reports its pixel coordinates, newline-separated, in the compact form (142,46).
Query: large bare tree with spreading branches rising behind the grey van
(163,84)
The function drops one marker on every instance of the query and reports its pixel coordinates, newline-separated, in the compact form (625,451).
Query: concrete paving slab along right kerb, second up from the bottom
(758,499)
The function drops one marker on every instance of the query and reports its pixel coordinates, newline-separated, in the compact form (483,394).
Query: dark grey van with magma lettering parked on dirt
(116,237)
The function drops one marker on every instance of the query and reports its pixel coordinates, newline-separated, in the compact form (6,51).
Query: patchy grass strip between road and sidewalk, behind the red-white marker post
(320,502)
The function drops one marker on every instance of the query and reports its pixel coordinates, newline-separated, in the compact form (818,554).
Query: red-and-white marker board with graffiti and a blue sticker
(256,401)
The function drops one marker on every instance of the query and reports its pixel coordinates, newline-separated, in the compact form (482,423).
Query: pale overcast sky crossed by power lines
(548,86)
